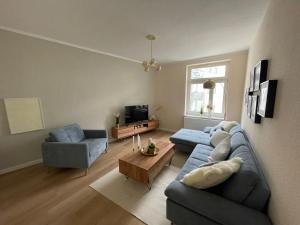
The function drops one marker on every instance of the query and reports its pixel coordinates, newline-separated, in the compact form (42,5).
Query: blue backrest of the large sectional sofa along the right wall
(248,186)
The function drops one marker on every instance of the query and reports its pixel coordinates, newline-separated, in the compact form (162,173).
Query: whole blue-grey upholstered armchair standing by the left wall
(72,147)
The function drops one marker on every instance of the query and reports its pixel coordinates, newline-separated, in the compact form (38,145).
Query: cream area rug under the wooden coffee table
(148,206)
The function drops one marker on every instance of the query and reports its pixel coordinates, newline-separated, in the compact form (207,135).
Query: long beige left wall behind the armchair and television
(74,86)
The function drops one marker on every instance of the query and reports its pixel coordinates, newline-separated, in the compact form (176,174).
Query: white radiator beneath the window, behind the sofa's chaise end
(198,123)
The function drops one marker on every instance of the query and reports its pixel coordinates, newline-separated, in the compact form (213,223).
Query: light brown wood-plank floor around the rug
(34,196)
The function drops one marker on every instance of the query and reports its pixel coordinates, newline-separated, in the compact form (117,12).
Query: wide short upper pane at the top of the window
(208,72)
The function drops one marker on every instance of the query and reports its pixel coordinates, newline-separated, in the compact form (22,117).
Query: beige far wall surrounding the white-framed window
(170,88)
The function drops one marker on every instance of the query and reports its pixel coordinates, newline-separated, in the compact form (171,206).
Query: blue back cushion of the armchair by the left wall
(70,133)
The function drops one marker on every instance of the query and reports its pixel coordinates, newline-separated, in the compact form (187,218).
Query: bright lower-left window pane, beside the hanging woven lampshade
(199,98)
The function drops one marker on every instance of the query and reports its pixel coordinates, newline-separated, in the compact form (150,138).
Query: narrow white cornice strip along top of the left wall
(67,44)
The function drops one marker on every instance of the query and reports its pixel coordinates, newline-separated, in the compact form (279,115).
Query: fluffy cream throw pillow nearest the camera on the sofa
(209,176)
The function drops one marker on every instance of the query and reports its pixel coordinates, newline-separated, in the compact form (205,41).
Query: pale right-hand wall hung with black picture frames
(277,140)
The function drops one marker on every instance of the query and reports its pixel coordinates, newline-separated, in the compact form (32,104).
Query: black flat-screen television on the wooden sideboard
(136,113)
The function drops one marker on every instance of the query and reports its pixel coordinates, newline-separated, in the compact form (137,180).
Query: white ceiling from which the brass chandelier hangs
(186,29)
